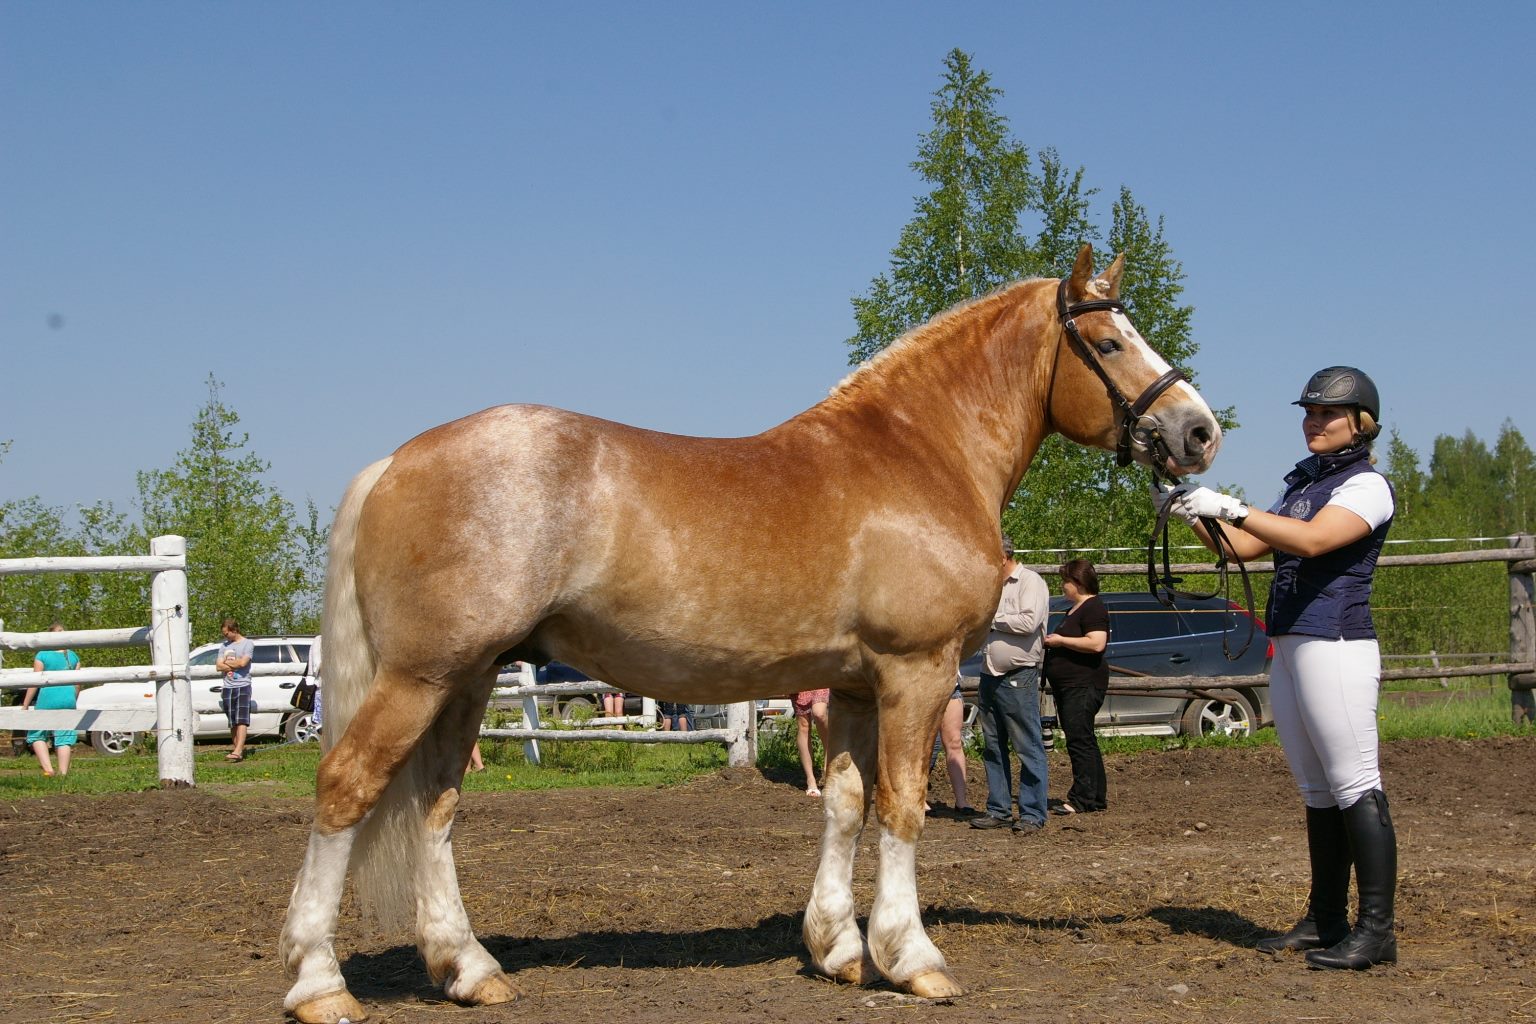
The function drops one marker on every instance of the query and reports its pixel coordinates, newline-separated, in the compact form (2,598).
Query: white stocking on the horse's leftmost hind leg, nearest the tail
(311,928)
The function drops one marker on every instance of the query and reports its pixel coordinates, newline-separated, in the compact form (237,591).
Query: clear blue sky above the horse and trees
(369,219)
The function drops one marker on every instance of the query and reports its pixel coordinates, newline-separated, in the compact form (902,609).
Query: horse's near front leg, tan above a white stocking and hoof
(913,701)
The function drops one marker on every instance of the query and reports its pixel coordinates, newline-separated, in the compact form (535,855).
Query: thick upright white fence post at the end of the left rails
(170,647)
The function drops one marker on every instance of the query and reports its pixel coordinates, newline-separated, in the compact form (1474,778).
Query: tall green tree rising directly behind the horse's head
(991,219)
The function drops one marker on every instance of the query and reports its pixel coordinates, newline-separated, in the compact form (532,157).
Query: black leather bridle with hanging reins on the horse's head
(1139,431)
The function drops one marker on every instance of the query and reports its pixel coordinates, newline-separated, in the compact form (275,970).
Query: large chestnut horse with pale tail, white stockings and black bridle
(852,547)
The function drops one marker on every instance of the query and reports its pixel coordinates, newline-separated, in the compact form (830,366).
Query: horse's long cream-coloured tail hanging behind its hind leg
(389,839)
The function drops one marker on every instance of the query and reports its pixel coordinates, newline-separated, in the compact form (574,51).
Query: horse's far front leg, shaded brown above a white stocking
(832,927)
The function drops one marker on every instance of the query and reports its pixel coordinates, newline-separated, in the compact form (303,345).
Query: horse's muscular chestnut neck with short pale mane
(975,385)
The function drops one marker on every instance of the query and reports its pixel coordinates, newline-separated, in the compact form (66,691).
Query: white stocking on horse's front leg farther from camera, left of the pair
(832,927)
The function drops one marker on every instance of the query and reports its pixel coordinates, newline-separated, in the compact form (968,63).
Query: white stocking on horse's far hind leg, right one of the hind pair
(448,943)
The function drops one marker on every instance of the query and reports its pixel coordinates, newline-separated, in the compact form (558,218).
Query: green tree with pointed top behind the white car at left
(247,557)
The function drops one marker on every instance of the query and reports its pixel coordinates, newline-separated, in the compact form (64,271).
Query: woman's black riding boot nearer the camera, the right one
(1374,845)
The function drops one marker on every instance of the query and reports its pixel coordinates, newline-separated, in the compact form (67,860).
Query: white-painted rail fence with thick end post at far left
(167,638)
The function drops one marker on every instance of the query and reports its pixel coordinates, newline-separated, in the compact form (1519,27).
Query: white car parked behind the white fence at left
(273,713)
